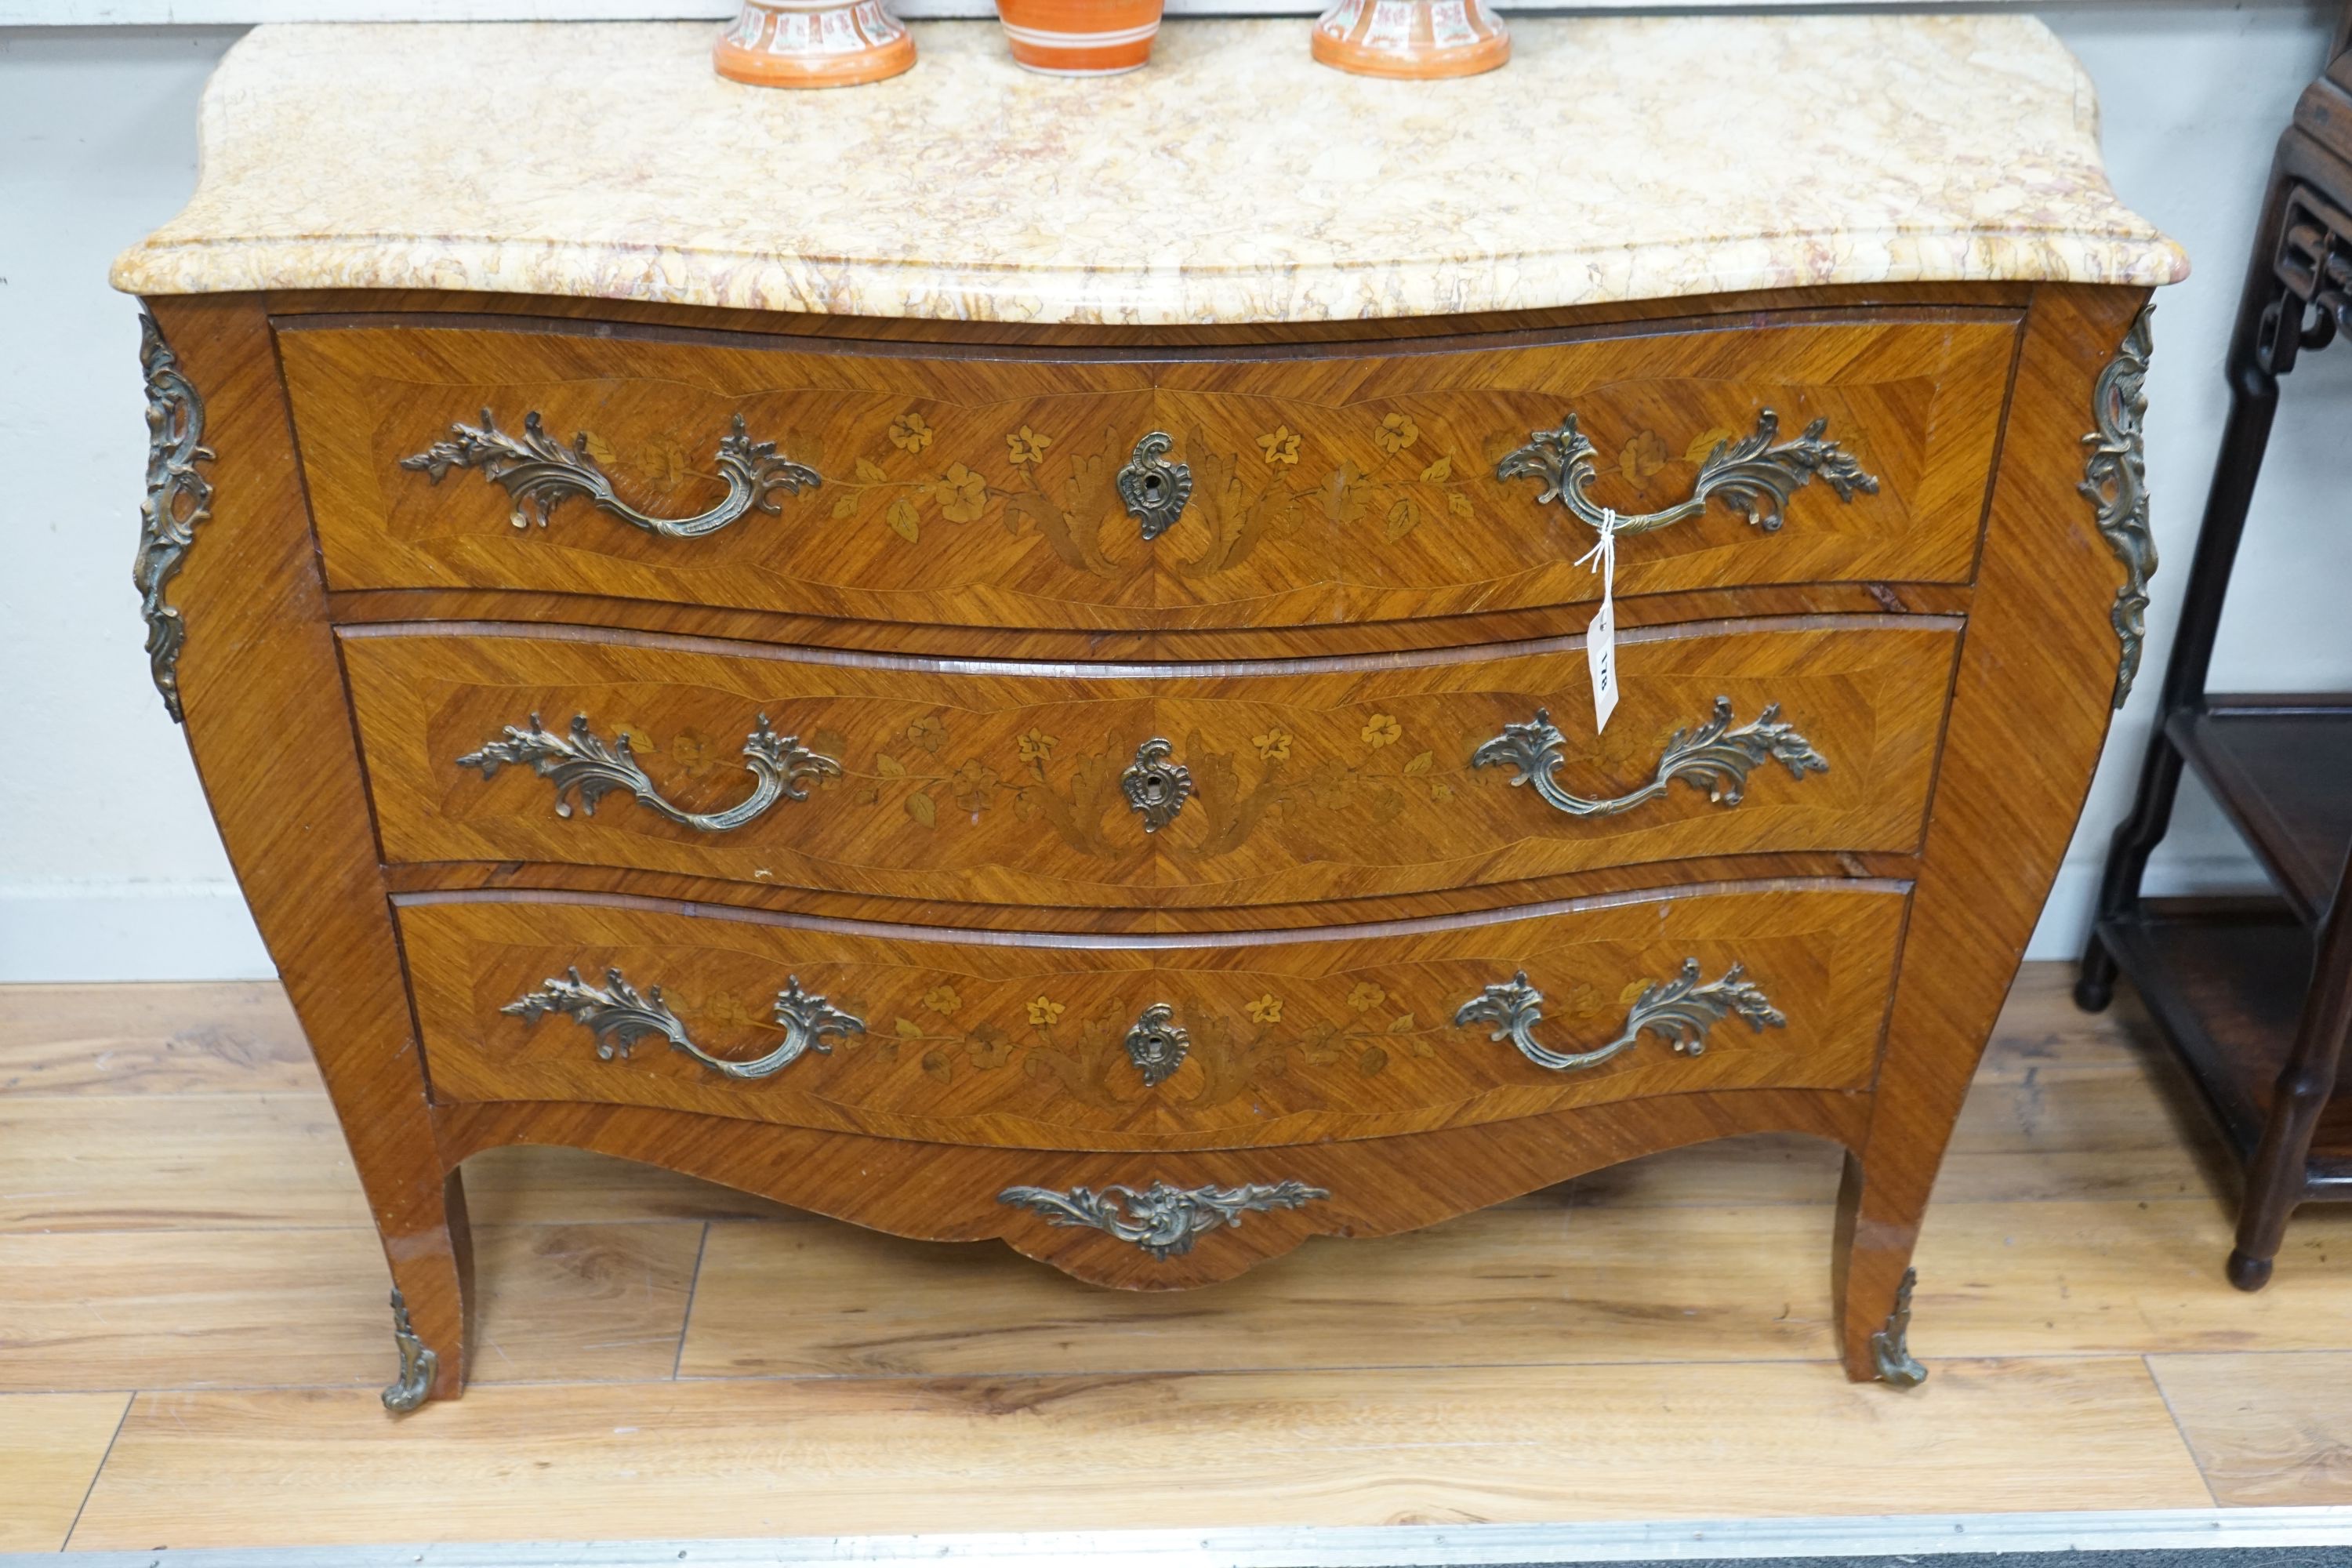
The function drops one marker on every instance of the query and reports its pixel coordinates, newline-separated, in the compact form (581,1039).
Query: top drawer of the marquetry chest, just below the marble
(984,488)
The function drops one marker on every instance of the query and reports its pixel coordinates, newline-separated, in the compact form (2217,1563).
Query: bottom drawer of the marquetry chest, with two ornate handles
(1151,1043)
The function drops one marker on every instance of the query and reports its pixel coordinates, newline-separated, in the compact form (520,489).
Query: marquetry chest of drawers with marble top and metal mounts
(989,690)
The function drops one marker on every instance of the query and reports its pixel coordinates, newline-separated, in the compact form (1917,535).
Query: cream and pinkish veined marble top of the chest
(1229,182)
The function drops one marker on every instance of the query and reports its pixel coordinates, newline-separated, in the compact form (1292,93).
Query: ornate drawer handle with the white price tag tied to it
(1751,476)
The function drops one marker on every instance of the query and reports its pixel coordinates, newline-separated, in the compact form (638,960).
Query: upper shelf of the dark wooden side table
(2283,770)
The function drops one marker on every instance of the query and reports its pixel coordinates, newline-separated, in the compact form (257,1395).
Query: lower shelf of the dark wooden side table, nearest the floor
(2226,981)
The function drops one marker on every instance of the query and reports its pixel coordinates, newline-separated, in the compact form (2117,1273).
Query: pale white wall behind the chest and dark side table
(109,866)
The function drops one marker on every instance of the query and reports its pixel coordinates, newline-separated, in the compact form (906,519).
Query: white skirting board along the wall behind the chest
(88,932)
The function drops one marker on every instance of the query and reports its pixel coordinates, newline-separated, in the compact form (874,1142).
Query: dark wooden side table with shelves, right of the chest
(2257,993)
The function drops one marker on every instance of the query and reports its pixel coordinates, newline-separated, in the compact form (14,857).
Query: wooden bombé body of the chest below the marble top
(1135,791)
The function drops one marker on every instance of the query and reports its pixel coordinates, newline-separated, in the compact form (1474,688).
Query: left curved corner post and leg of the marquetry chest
(243,652)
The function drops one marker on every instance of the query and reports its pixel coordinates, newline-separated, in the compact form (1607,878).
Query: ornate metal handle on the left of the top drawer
(537,471)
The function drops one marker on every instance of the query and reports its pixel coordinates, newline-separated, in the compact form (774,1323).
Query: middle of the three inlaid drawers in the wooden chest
(1010,782)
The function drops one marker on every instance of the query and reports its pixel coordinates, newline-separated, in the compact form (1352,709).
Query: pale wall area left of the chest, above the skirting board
(109,866)
